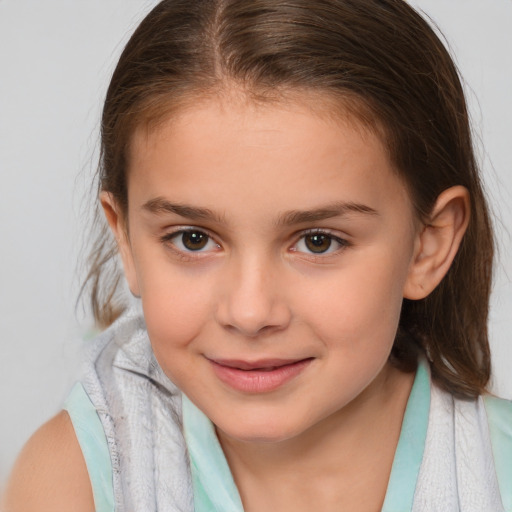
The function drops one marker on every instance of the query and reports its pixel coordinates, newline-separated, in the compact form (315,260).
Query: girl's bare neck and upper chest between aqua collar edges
(345,459)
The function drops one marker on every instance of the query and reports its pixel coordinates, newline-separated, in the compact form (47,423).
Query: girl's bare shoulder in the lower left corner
(50,473)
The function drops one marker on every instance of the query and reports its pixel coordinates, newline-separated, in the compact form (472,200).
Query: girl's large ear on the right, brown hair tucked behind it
(437,242)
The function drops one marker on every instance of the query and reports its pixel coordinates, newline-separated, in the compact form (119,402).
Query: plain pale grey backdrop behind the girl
(56,58)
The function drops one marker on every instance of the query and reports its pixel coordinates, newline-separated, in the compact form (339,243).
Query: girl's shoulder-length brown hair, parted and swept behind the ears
(378,55)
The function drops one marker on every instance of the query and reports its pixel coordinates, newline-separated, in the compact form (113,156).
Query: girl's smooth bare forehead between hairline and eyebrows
(223,152)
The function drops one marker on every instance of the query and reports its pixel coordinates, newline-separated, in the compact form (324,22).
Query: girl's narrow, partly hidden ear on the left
(118,225)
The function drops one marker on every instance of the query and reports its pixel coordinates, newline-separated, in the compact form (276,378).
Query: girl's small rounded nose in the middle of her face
(251,300)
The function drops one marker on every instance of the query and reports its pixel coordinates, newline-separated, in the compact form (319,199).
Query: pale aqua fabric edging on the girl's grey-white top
(213,485)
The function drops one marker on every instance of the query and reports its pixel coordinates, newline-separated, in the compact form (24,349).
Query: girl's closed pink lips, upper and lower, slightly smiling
(258,376)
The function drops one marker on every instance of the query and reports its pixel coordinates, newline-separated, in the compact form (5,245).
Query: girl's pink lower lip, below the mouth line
(259,381)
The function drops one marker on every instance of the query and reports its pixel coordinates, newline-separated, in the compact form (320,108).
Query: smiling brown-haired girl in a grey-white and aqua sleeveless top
(293,194)
